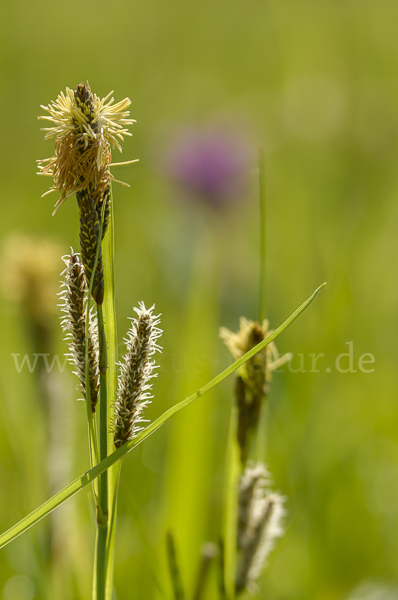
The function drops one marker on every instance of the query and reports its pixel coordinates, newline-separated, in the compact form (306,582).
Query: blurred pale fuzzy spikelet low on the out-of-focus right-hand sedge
(259,525)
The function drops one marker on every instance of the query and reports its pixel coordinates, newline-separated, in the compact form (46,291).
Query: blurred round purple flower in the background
(209,164)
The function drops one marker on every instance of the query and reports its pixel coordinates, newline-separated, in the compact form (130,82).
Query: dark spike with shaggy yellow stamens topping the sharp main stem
(86,128)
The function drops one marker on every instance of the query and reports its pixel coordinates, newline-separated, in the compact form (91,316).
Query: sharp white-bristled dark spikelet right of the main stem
(136,370)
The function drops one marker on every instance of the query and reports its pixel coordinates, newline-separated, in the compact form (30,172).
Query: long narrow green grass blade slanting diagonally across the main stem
(79,483)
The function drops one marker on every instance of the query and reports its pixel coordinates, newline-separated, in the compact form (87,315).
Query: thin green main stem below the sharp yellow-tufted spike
(102,508)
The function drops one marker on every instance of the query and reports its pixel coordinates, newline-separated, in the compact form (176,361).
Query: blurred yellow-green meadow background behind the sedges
(314,83)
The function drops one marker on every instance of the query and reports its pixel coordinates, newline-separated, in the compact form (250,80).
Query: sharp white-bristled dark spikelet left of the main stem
(74,295)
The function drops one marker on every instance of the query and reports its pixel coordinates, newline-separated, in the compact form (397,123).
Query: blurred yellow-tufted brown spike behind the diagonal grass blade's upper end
(253,378)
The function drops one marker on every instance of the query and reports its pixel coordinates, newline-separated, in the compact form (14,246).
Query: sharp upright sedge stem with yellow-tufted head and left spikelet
(86,128)
